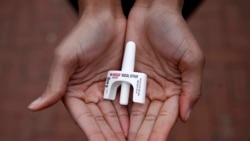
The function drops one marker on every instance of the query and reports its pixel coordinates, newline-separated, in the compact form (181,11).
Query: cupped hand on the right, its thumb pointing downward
(169,55)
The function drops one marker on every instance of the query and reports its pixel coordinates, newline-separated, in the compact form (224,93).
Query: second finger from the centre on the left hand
(110,115)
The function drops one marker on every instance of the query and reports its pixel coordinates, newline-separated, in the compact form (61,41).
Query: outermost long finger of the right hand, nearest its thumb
(165,120)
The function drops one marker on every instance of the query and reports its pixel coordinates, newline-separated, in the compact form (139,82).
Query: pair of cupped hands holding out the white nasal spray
(166,51)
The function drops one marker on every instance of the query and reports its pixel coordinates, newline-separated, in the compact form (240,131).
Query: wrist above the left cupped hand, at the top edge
(99,6)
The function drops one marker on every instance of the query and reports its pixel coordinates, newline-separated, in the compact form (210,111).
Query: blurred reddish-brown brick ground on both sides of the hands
(31,29)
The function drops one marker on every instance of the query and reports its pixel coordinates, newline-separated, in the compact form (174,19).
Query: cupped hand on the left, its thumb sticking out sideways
(79,70)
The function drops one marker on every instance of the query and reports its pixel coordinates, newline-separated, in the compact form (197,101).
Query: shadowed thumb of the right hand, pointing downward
(191,69)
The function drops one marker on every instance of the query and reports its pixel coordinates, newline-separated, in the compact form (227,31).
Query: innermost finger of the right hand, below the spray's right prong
(137,116)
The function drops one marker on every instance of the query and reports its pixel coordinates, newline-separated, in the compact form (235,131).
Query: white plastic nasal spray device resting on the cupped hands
(125,78)
